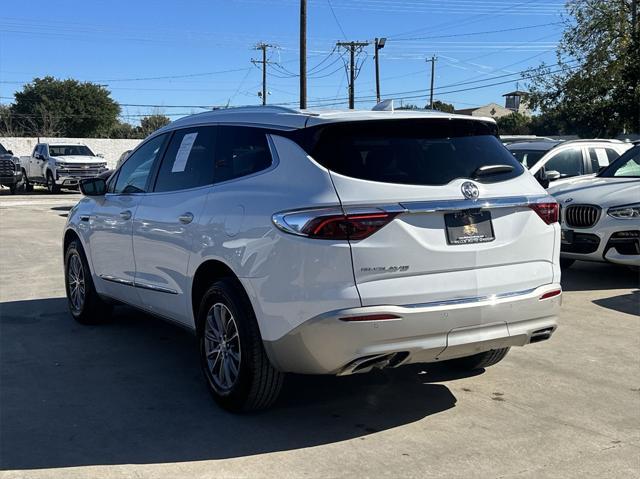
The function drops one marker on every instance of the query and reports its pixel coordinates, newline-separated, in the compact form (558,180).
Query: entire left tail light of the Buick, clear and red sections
(333,224)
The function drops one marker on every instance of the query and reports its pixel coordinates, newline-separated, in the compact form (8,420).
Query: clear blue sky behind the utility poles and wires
(180,55)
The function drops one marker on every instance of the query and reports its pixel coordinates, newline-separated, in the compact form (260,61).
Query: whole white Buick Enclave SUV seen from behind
(321,243)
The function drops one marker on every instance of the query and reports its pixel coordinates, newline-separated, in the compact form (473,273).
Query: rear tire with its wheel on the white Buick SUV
(250,382)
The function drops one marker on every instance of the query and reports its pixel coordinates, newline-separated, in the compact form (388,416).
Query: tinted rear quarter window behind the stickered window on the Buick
(240,151)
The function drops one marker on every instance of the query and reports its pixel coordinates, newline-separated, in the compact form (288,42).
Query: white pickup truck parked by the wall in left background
(60,165)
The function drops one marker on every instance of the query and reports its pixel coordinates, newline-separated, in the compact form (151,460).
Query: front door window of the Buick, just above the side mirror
(134,173)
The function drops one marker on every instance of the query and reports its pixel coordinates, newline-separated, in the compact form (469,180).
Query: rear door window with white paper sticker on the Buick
(189,160)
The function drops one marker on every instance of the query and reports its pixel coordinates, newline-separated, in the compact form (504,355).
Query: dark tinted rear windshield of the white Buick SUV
(411,152)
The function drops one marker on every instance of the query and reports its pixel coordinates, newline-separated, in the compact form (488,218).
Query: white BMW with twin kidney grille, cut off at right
(601,215)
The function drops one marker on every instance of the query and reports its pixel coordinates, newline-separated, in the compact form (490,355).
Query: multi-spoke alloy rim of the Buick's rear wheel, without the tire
(222,348)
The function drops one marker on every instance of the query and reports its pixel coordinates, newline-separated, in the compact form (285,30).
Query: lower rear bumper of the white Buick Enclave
(423,333)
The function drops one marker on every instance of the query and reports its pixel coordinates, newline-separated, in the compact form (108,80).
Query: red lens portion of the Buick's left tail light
(341,227)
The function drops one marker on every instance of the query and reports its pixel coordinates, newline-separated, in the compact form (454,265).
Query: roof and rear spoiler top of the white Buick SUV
(289,119)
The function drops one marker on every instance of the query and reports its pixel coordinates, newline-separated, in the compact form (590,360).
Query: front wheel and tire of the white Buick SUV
(87,307)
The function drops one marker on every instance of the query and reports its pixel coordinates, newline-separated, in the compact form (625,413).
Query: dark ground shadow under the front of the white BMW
(589,276)
